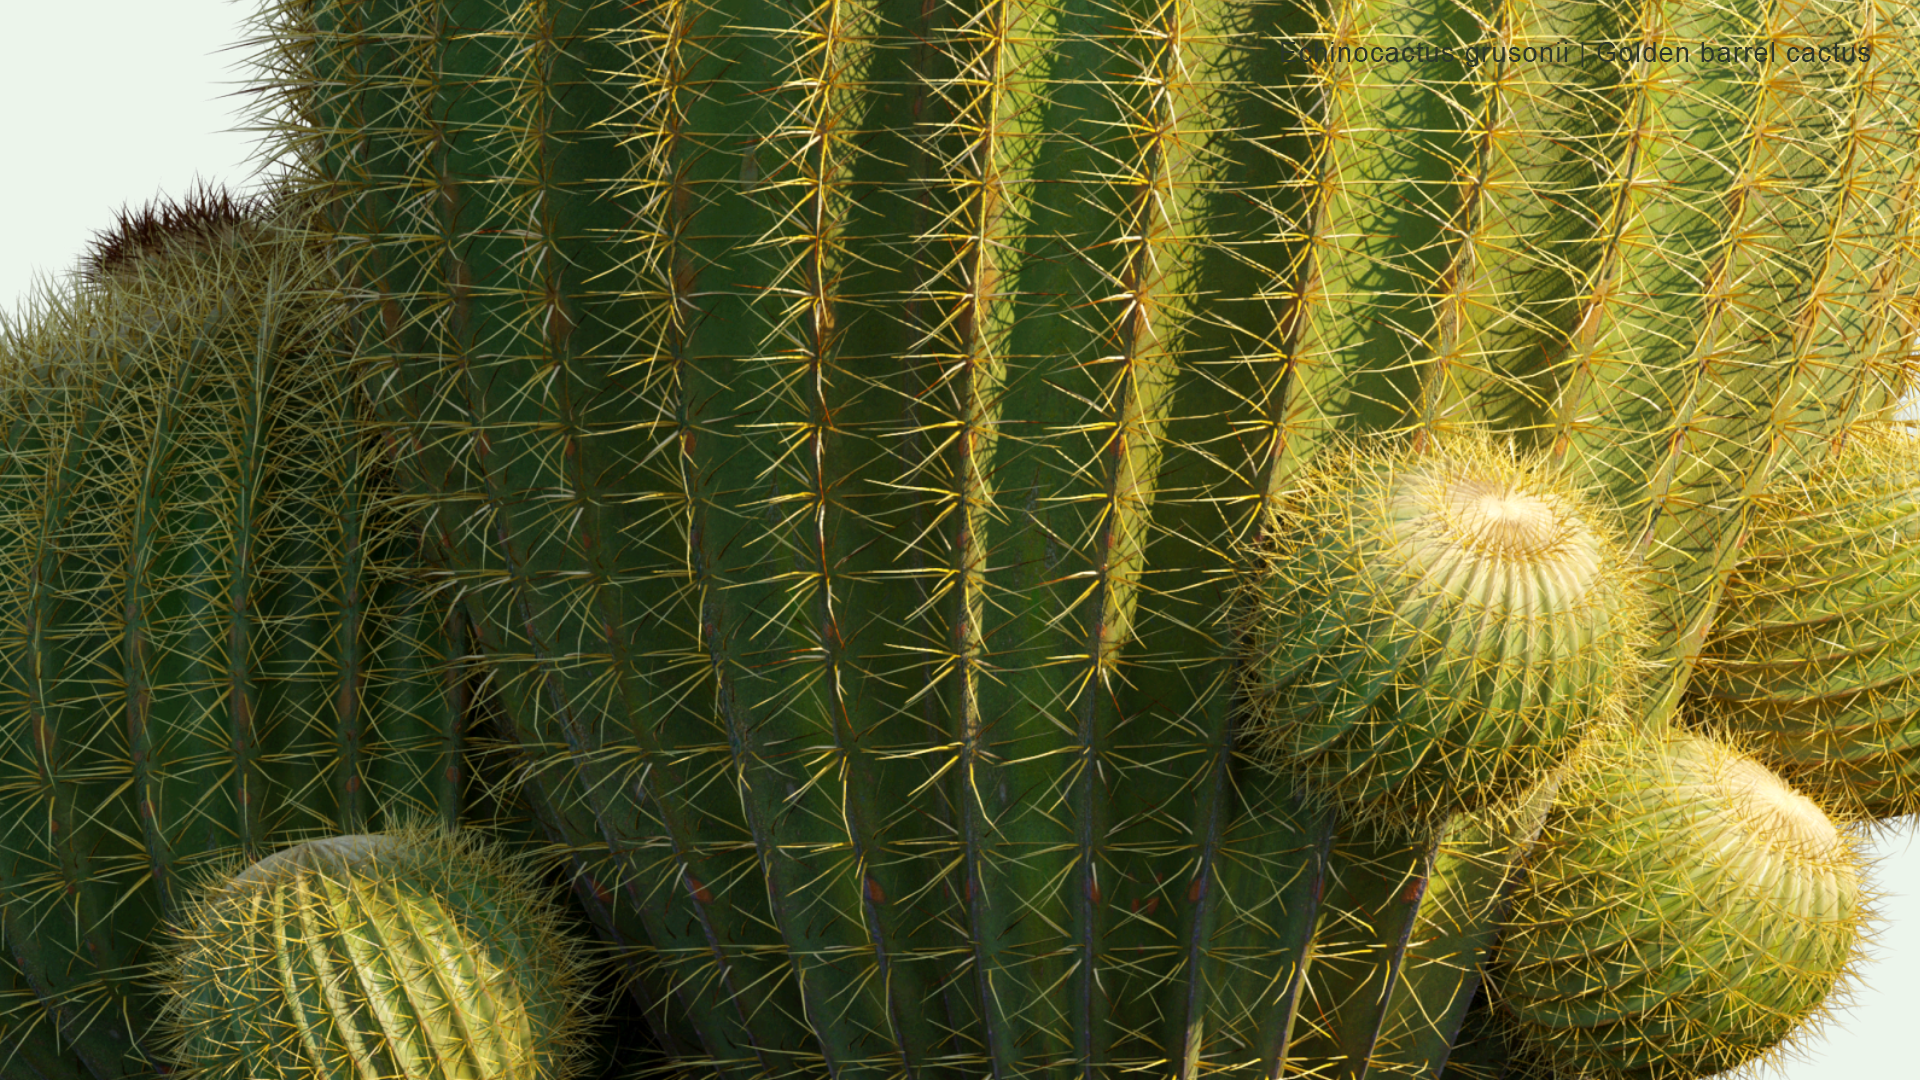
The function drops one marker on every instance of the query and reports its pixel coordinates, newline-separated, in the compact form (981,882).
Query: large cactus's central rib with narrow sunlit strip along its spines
(978,147)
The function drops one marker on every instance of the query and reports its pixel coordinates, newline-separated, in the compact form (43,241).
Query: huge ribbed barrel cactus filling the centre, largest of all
(850,428)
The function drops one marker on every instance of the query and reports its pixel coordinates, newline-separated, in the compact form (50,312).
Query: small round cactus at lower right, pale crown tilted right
(1687,912)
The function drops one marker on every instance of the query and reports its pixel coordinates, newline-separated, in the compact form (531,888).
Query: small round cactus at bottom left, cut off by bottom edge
(404,956)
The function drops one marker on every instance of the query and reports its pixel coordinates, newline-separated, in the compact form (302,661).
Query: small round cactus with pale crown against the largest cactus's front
(1437,631)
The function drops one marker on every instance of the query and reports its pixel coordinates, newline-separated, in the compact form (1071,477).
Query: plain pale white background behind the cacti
(118,101)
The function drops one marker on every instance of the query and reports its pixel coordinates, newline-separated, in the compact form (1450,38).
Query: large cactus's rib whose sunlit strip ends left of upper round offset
(1124,314)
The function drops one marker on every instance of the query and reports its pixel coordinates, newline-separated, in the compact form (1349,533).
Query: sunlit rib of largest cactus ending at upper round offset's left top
(1364,216)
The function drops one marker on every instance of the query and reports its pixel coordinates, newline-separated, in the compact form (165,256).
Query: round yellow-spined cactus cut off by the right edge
(1817,650)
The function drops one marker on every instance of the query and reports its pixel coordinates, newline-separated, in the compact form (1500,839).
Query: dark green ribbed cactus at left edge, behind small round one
(212,627)
